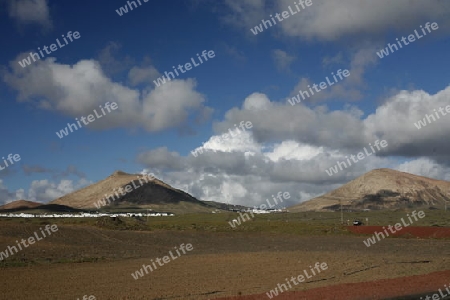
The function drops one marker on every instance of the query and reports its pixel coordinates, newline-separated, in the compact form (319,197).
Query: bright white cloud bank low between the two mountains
(240,170)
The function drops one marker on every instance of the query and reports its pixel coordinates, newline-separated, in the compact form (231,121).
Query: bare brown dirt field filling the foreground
(220,265)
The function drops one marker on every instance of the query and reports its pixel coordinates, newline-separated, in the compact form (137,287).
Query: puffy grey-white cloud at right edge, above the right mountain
(394,121)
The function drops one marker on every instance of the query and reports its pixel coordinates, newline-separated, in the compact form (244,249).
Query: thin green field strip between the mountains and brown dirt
(310,223)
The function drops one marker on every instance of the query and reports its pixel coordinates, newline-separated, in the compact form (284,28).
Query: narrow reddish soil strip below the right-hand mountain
(420,232)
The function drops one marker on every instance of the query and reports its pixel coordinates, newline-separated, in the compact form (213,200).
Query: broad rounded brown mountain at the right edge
(382,189)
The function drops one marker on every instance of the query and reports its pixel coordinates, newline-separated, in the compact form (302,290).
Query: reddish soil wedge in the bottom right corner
(380,289)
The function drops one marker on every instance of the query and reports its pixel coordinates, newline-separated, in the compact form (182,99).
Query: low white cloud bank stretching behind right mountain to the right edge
(229,175)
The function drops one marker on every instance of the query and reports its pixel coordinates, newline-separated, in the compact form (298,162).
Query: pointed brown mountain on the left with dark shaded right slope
(151,193)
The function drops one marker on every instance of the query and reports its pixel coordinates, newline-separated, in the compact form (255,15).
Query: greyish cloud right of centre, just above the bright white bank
(274,122)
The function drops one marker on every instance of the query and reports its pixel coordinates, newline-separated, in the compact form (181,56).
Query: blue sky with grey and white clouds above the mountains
(186,130)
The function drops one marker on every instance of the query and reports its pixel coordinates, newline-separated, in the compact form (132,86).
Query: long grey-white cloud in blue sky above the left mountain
(76,90)
